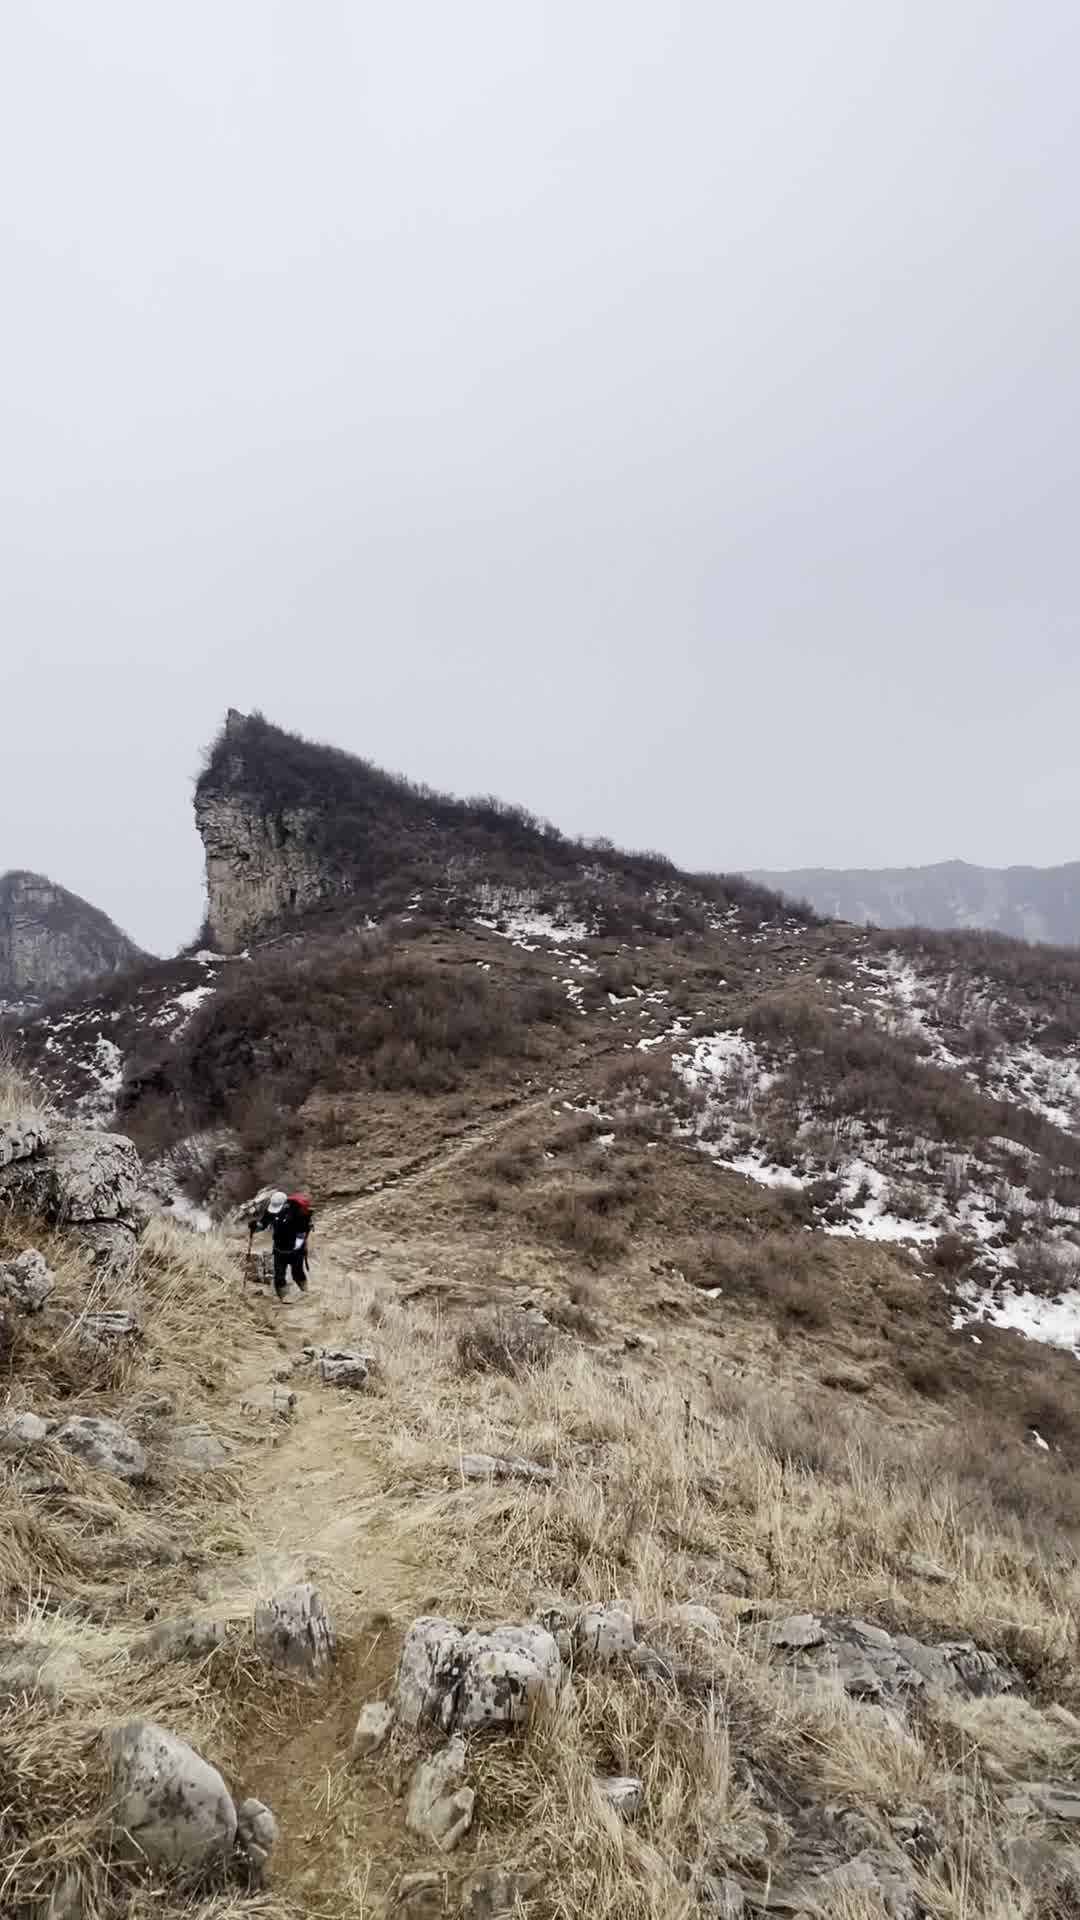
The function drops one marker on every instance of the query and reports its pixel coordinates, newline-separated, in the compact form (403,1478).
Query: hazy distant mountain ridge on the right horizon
(1033,903)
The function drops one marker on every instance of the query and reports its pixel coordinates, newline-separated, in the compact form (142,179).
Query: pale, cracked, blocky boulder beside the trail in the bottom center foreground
(456,1679)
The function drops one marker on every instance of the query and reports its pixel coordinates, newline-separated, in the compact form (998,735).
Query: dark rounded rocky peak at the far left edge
(51,940)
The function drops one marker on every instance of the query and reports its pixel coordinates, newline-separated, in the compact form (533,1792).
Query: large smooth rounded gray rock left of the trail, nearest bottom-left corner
(170,1806)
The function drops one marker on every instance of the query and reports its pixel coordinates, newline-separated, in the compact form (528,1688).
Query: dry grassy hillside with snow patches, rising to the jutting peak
(681,1431)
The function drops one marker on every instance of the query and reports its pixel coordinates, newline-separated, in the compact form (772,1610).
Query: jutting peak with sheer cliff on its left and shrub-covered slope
(293,828)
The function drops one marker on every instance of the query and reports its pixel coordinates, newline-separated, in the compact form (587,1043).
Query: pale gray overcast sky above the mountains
(660,414)
